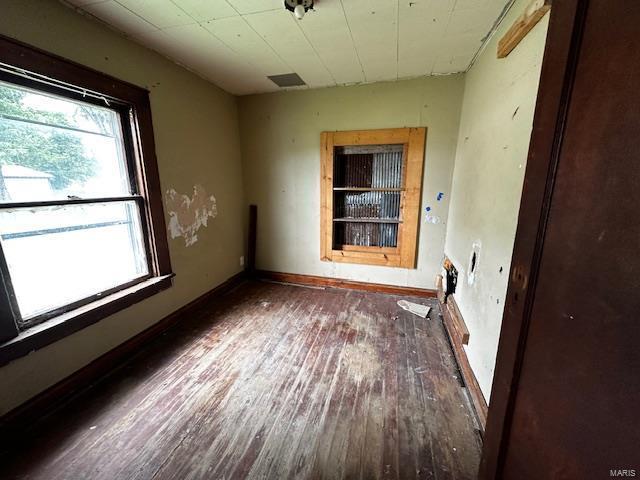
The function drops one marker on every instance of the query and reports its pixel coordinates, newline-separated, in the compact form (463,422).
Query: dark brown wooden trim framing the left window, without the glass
(77,82)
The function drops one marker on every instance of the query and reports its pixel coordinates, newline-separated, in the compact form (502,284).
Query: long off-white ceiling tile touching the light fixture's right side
(328,32)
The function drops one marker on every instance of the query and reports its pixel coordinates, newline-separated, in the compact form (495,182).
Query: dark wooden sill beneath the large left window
(63,325)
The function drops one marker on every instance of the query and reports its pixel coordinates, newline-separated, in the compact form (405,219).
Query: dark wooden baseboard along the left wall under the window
(46,402)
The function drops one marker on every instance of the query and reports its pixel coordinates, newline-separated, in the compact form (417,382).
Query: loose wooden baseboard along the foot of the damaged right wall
(456,337)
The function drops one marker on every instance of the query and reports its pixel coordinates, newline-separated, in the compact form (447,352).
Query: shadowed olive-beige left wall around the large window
(196,131)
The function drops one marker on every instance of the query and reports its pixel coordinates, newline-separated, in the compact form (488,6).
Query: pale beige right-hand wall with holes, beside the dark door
(495,127)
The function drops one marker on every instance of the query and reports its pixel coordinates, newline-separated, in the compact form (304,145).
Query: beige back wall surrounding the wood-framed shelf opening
(281,163)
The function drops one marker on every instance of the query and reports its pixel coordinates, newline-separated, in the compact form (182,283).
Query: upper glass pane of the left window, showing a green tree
(55,148)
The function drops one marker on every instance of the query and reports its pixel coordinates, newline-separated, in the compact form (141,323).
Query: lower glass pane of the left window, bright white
(59,255)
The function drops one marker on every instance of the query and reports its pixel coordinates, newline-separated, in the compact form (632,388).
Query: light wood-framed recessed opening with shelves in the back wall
(370,205)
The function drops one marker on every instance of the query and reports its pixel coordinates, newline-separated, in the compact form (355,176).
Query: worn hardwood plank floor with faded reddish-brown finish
(270,382)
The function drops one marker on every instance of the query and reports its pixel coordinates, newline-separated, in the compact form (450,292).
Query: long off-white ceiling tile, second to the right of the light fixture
(374,26)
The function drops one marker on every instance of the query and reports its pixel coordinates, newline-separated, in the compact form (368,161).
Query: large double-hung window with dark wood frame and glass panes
(81,225)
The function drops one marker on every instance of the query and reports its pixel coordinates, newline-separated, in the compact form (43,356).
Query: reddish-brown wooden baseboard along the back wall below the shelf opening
(316,281)
